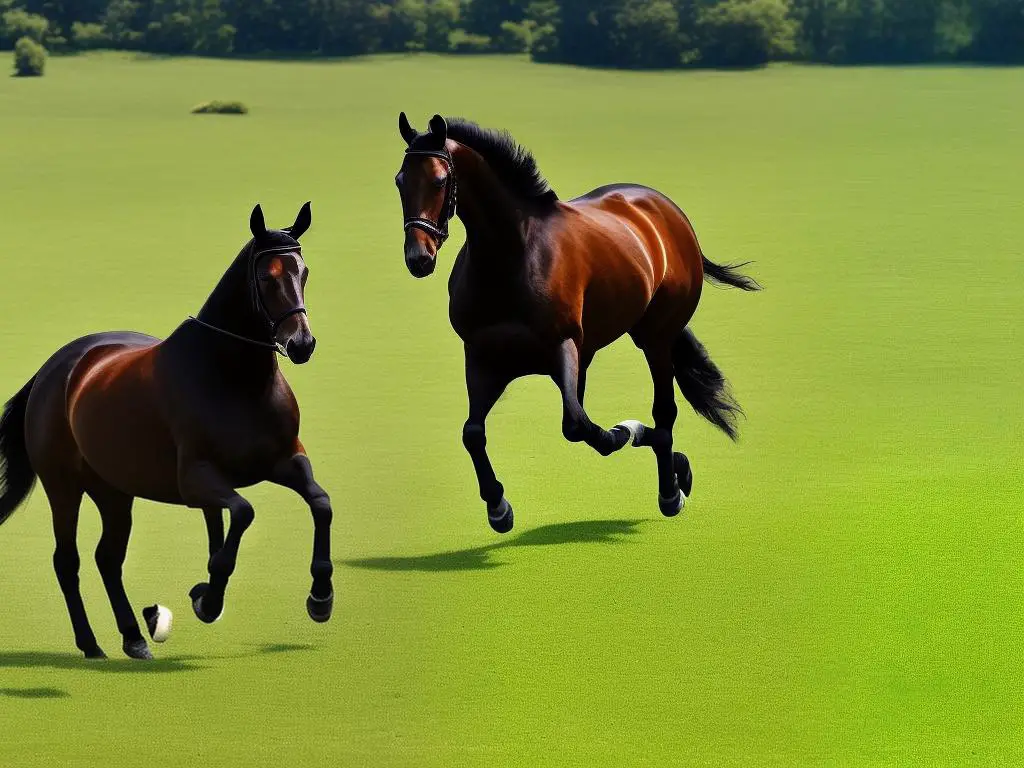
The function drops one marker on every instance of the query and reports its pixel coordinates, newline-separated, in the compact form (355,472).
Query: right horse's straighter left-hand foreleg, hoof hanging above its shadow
(485,387)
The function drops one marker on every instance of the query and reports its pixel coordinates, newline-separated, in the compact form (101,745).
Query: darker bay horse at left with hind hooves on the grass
(185,421)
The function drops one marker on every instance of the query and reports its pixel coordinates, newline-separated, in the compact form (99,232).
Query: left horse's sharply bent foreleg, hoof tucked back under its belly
(204,487)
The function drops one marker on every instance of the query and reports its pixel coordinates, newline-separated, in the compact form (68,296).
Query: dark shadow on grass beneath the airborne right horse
(481,559)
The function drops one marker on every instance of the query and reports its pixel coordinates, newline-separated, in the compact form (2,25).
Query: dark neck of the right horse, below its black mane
(494,218)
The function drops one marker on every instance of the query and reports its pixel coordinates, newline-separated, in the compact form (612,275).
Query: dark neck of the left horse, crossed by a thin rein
(231,309)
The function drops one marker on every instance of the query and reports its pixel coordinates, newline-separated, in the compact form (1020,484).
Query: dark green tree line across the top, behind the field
(634,34)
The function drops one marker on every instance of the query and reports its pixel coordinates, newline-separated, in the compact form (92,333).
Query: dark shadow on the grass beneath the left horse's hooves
(30,660)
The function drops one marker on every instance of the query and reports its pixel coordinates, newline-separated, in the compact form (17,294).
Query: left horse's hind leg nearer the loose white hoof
(115,511)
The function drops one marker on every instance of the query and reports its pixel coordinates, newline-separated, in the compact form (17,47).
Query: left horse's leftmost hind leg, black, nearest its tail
(65,504)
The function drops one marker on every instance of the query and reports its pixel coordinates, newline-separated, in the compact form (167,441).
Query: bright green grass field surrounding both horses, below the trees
(845,586)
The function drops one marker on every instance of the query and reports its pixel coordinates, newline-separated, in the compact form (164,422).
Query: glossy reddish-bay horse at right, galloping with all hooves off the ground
(541,286)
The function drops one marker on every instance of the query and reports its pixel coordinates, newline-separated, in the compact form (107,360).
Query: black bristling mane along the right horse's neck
(514,163)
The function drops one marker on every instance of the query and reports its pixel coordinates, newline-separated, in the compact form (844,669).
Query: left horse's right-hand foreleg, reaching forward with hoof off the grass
(297,475)
